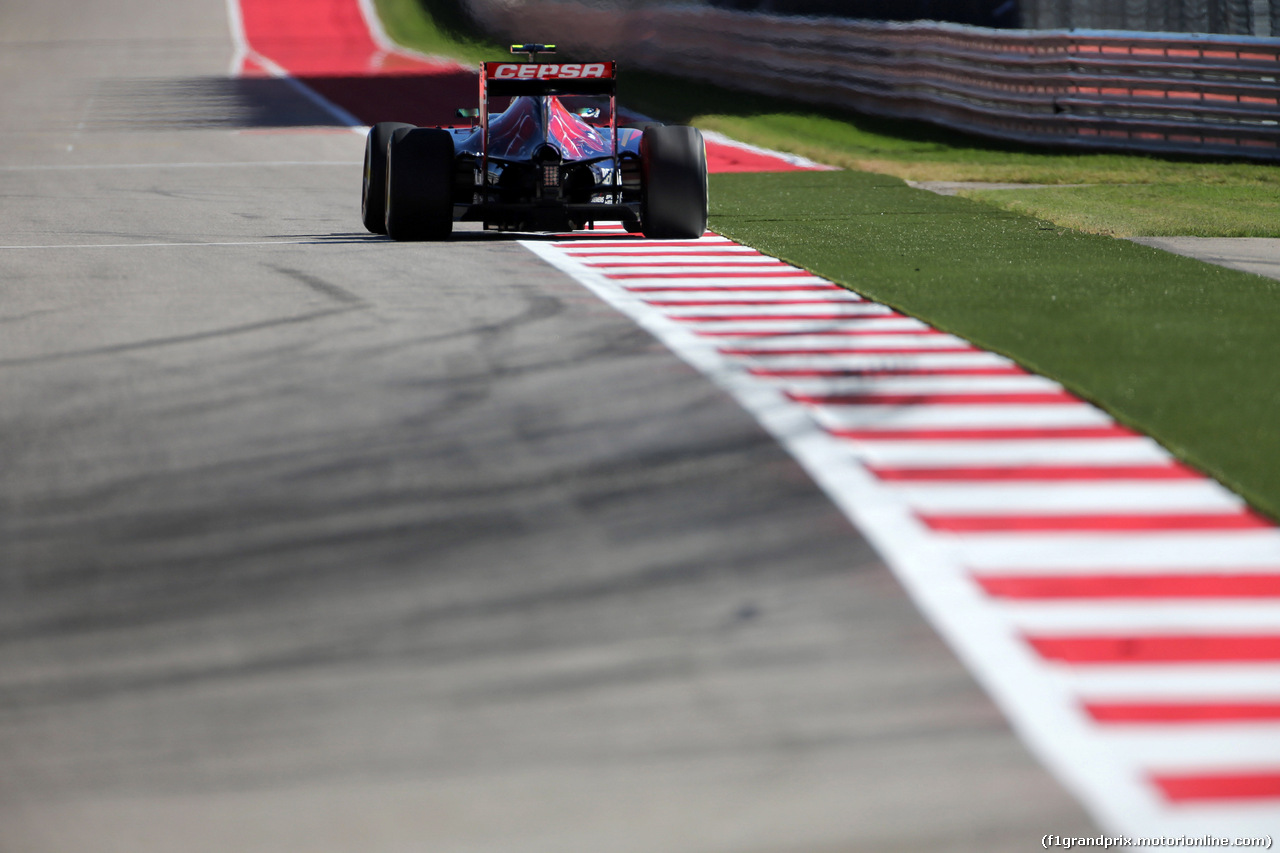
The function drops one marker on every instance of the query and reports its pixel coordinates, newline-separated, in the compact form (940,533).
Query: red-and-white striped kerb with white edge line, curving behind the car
(1123,610)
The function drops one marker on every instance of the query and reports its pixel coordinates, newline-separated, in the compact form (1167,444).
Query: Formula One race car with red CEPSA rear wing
(548,162)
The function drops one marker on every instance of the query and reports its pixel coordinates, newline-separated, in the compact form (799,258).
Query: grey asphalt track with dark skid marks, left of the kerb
(316,542)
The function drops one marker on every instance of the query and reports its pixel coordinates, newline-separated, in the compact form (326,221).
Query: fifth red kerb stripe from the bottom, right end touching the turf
(1109,523)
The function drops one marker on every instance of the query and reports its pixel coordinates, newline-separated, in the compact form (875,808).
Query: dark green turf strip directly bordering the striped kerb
(1182,350)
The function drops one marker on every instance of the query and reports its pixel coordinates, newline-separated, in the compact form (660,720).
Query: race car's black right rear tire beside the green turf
(673,183)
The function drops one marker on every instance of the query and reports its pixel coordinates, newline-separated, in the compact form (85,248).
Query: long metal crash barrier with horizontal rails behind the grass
(1162,93)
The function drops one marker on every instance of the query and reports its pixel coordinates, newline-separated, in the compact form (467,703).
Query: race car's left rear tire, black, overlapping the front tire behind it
(420,185)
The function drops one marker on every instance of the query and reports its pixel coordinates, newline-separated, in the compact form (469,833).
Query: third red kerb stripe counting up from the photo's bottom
(1172,649)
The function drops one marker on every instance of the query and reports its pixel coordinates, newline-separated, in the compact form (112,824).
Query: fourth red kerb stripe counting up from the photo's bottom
(1130,586)
